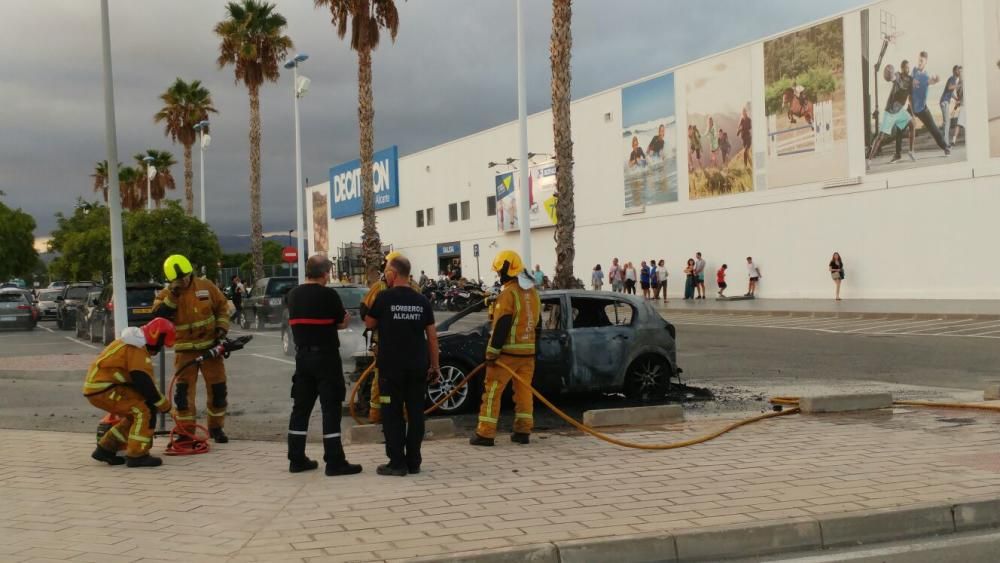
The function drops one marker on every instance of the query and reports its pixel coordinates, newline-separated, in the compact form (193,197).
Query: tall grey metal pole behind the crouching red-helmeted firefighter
(114,195)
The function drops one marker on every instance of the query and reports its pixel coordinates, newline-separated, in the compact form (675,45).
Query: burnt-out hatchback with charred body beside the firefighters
(589,342)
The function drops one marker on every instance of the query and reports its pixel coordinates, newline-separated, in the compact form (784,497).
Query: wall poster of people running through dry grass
(719,125)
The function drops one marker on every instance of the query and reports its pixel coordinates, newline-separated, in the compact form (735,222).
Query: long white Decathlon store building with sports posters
(923,229)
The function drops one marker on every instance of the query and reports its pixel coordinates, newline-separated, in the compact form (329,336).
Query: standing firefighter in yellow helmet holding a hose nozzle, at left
(200,314)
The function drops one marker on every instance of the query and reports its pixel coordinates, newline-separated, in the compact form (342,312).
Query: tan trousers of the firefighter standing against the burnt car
(496,381)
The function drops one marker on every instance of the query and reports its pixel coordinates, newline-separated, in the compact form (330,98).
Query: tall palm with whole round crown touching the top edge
(252,41)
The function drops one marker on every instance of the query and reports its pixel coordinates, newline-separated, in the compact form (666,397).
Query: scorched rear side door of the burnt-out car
(600,334)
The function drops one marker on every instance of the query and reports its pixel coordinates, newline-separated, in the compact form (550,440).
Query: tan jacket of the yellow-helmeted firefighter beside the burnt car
(515,321)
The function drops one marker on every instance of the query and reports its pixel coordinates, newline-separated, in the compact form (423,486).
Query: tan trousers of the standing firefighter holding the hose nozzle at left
(214,373)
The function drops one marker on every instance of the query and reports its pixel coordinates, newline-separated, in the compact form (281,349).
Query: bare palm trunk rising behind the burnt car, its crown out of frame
(560,50)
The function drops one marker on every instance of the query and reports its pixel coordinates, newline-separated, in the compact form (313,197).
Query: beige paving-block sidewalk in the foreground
(238,503)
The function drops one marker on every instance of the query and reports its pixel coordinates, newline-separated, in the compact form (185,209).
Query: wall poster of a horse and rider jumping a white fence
(805,105)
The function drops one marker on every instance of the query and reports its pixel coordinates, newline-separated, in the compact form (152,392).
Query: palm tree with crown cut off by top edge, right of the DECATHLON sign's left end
(367,19)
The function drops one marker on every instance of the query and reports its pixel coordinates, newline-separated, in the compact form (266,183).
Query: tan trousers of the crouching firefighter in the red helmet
(134,432)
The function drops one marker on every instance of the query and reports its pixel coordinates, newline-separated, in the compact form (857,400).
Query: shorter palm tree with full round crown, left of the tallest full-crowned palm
(184,105)
